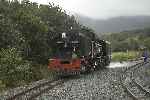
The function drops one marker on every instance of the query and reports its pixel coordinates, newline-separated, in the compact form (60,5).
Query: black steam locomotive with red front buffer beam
(77,53)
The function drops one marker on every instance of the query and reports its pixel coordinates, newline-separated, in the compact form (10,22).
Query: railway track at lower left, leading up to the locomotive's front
(31,93)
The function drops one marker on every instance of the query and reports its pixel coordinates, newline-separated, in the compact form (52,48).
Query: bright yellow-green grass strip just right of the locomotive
(124,56)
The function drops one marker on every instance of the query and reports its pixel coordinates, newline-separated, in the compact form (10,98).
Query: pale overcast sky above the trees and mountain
(103,9)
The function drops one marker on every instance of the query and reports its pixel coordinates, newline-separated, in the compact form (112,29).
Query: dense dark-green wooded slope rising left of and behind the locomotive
(27,34)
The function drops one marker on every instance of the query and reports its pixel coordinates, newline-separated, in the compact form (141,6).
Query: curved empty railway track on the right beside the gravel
(133,88)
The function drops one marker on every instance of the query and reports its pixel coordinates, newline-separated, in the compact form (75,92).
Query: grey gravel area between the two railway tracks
(100,85)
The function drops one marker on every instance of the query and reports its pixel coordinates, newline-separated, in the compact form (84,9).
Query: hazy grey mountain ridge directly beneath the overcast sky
(117,24)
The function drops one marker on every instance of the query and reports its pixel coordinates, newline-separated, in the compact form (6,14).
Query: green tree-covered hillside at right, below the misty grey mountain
(129,40)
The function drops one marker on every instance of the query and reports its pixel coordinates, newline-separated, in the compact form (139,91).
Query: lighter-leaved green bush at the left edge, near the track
(13,69)
